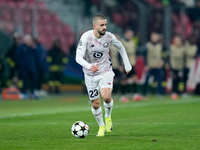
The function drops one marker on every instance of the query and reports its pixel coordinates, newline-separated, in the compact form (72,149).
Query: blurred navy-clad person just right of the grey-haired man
(41,66)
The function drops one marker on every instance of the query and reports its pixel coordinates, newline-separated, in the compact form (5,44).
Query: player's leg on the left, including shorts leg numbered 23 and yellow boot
(93,92)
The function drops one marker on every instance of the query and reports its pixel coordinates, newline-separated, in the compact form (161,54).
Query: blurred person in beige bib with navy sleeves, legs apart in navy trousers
(153,63)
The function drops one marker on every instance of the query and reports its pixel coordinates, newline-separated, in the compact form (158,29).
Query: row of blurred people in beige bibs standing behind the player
(160,64)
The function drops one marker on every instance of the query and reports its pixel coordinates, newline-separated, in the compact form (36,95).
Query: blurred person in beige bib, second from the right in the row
(176,60)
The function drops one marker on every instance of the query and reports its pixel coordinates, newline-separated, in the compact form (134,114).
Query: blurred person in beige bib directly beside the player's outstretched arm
(131,78)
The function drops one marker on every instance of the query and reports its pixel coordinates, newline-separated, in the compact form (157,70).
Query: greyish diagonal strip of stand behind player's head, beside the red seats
(71,12)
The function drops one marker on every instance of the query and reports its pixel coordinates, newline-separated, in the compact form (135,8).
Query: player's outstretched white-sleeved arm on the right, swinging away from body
(122,51)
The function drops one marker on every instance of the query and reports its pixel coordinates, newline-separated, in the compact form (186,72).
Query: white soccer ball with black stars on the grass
(80,129)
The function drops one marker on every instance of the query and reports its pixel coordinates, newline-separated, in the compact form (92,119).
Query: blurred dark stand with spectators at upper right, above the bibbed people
(185,18)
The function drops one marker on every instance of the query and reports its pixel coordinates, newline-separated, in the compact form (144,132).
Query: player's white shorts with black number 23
(94,84)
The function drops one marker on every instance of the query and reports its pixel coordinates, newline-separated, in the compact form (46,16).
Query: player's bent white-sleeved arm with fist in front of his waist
(80,53)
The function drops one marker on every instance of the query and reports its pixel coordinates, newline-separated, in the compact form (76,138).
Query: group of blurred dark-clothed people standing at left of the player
(27,62)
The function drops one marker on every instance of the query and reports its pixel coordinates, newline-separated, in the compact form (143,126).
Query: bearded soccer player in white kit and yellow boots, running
(93,54)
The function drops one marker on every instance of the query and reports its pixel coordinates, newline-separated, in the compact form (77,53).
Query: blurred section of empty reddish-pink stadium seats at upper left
(47,24)
